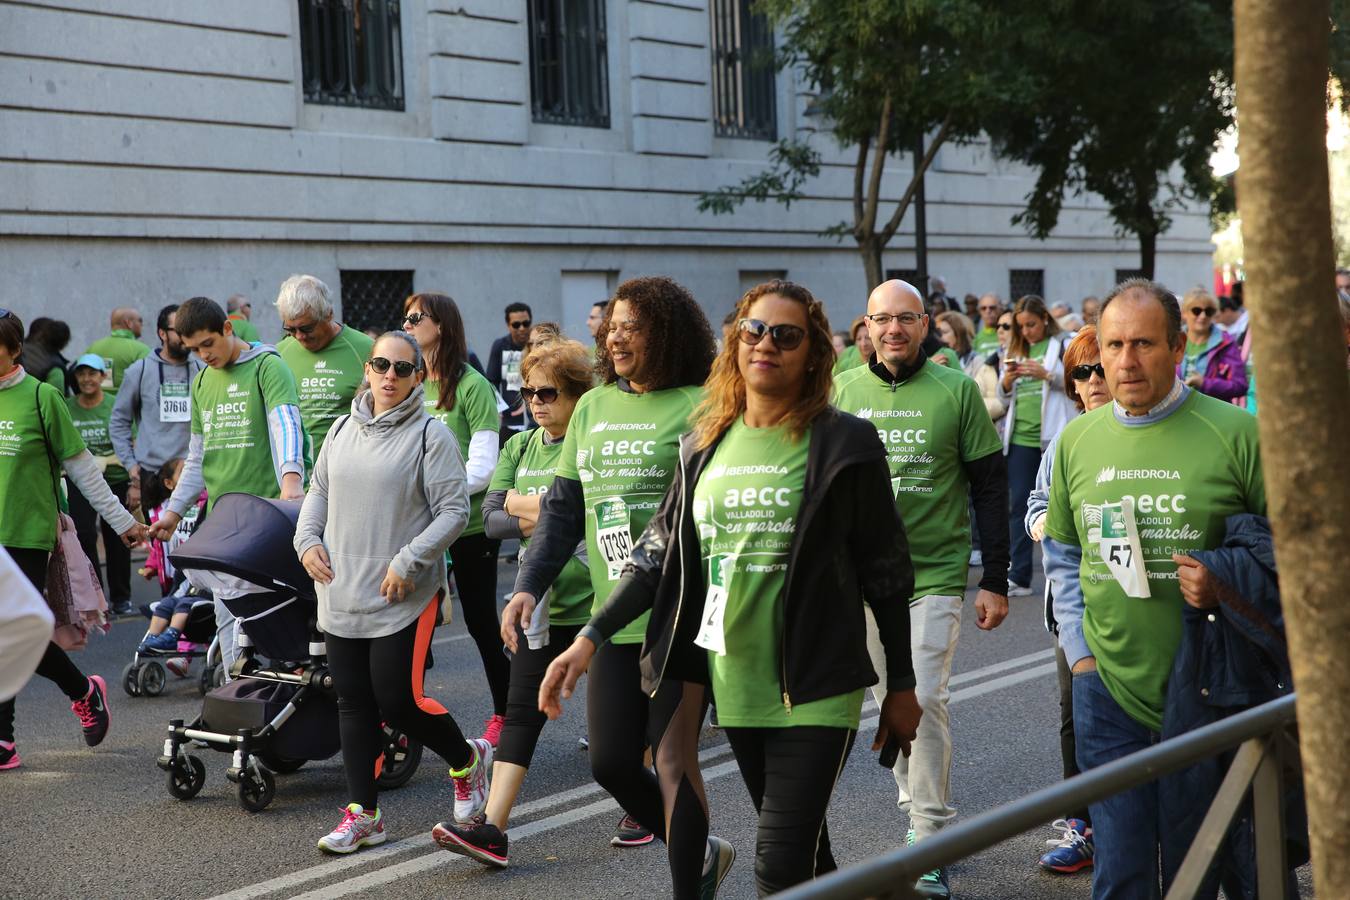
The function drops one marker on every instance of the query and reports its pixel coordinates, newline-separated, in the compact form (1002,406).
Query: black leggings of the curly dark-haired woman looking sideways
(622,724)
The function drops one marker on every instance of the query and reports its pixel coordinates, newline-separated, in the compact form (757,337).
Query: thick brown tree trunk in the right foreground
(1282,78)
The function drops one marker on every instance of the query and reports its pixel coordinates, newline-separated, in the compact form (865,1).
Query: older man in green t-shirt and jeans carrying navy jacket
(1137,488)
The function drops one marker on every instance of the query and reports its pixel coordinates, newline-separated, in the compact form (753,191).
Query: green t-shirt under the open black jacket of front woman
(746,507)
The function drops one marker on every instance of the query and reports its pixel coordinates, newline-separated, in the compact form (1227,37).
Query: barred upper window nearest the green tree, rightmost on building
(745,102)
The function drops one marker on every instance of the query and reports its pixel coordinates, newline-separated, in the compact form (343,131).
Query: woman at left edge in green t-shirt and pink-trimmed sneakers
(37,443)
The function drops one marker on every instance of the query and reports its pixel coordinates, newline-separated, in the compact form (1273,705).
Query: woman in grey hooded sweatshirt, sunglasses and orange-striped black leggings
(388,497)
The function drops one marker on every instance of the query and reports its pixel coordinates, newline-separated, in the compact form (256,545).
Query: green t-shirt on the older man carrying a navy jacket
(1182,499)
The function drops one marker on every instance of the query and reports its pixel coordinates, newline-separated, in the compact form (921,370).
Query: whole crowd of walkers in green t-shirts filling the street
(770,526)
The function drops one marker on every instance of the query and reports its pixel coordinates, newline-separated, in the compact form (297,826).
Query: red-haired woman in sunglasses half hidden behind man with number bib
(1086,387)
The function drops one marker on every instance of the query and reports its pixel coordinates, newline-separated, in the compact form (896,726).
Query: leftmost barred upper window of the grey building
(352,53)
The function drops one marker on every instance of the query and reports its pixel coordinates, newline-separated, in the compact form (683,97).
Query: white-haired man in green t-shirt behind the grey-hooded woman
(327,358)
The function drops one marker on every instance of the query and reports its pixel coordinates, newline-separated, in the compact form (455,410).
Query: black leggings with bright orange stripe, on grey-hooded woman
(381,681)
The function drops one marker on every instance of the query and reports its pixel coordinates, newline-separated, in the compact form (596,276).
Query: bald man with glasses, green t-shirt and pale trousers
(943,449)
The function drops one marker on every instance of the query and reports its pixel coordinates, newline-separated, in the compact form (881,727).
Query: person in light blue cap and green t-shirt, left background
(91,411)
